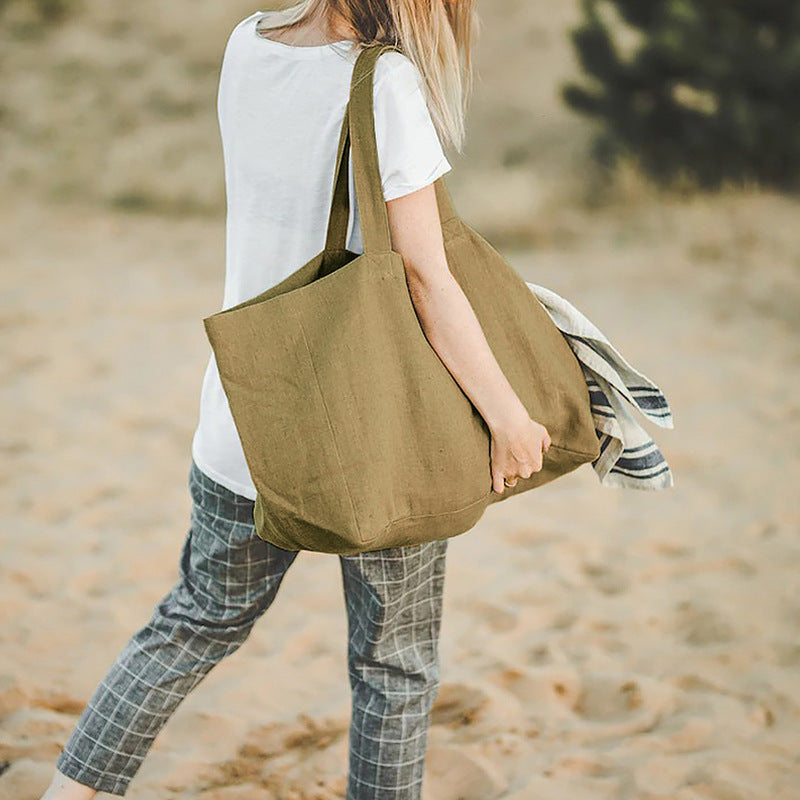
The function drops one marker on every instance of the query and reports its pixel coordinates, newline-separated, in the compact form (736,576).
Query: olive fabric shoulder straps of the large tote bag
(358,129)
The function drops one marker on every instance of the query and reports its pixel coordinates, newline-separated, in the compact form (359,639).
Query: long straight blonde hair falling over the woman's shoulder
(436,35)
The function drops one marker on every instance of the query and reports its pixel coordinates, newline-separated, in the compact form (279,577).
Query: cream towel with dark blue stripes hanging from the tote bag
(629,458)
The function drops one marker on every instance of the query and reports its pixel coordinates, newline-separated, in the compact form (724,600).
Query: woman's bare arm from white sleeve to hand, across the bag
(454,332)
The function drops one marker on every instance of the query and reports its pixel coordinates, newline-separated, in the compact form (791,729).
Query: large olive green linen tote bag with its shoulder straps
(356,435)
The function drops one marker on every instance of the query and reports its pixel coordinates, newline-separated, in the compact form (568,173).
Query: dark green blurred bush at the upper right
(711,91)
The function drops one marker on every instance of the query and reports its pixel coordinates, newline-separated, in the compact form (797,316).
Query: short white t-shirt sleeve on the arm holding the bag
(410,155)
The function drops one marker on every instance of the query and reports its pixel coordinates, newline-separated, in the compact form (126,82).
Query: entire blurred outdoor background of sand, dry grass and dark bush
(642,160)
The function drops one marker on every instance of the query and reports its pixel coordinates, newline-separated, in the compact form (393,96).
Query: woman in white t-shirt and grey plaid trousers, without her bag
(284,84)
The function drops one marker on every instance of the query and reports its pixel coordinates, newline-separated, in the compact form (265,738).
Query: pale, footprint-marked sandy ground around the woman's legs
(596,643)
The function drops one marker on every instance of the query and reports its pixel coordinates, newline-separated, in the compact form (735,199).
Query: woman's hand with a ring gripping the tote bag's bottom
(517,448)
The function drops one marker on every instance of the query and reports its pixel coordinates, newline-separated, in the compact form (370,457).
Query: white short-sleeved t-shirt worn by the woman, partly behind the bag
(280,110)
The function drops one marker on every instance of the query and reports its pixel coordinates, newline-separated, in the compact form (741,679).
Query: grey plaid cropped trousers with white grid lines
(228,578)
